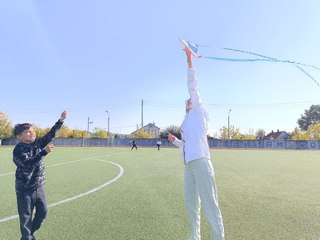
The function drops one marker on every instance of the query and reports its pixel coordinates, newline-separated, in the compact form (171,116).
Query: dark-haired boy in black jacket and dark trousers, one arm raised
(28,156)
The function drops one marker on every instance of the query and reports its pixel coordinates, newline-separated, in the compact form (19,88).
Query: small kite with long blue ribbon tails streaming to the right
(194,50)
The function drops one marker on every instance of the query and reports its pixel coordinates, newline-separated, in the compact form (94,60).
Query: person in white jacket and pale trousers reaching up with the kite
(199,180)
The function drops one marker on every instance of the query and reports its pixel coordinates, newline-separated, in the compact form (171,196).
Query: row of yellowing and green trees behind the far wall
(309,129)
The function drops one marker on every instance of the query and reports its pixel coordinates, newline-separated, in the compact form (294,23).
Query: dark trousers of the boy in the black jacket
(27,201)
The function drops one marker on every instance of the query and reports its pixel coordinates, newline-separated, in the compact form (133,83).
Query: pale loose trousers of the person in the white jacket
(200,189)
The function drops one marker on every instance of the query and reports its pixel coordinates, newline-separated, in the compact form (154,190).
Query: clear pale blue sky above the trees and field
(91,56)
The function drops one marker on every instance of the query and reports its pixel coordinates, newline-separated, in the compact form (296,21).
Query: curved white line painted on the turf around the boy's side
(81,194)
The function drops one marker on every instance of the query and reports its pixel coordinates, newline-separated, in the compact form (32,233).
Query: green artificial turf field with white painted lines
(117,194)
